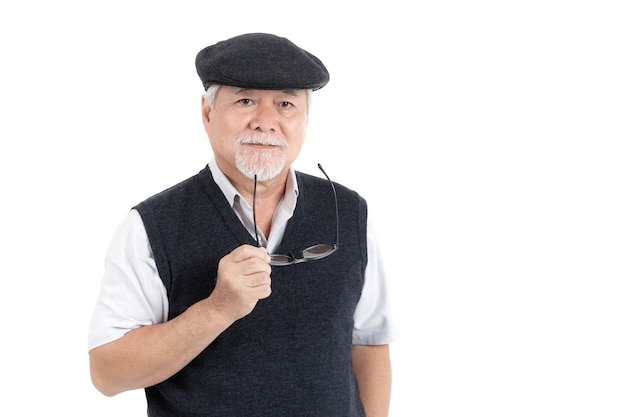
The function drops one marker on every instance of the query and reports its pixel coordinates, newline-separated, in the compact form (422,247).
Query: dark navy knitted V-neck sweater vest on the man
(290,357)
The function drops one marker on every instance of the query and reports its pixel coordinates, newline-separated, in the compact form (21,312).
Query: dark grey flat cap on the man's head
(260,61)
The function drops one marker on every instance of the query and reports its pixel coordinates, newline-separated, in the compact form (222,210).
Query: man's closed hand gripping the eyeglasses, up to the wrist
(243,278)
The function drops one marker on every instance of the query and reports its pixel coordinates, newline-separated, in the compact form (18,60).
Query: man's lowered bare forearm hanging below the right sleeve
(372,367)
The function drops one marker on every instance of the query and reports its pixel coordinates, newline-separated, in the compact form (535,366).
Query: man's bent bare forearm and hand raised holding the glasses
(151,354)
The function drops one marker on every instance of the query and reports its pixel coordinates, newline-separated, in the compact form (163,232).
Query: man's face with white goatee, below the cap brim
(256,131)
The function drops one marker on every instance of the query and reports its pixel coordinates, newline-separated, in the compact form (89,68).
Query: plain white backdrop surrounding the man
(487,136)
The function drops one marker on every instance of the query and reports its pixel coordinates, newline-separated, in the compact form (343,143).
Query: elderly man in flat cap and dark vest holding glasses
(249,289)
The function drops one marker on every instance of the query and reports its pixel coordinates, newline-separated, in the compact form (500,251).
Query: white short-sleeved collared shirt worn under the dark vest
(132,294)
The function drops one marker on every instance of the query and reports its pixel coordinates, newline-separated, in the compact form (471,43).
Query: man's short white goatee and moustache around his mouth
(266,165)
